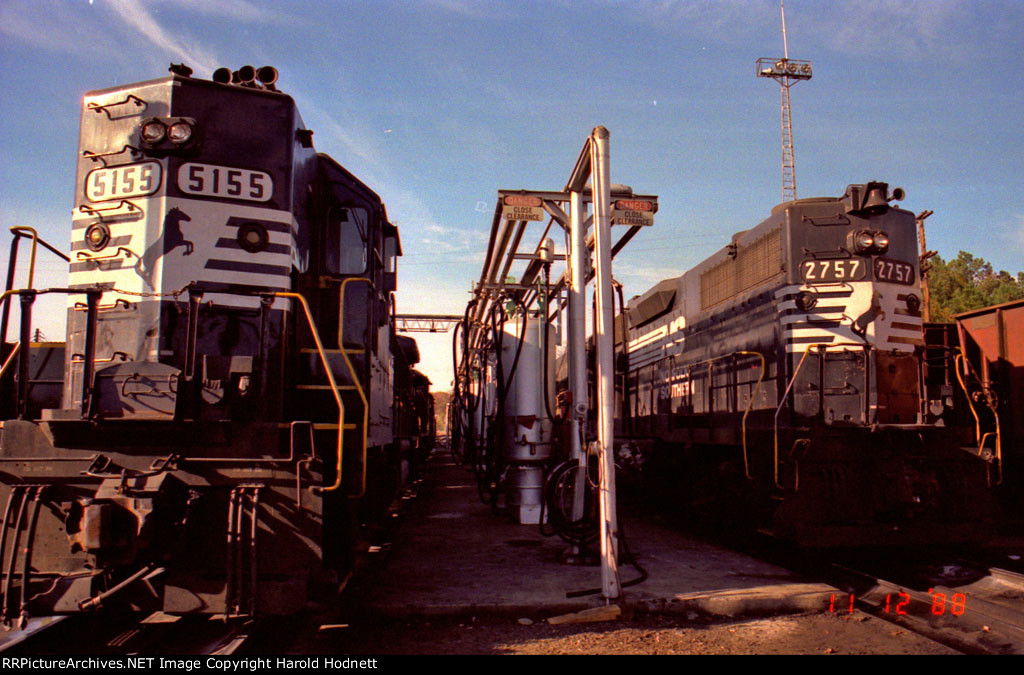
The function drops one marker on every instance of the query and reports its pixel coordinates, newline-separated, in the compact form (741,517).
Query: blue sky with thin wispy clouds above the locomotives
(439,104)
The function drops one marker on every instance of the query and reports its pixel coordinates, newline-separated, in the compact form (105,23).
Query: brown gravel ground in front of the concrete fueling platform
(819,634)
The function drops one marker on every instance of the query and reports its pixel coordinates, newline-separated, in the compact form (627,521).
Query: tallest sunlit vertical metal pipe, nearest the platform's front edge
(605,340)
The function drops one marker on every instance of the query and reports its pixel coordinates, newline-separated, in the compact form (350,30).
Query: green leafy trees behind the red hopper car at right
(968,283)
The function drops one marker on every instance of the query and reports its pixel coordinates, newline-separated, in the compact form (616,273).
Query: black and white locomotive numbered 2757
(789,383)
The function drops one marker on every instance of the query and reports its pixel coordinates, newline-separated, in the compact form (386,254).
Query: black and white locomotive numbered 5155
(230,415)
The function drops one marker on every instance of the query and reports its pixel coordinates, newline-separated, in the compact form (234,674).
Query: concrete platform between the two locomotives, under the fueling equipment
(455,557)
